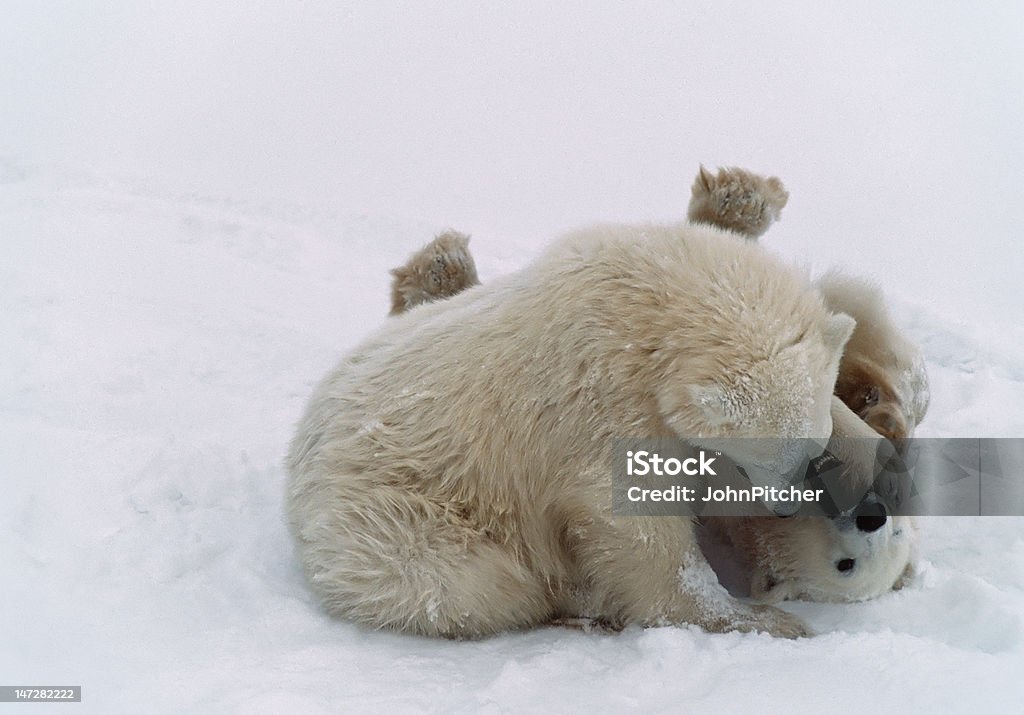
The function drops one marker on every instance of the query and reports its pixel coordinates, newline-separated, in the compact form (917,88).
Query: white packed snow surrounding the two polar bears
(199,204)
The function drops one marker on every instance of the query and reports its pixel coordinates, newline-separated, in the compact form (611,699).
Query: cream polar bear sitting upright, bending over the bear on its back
(452,477)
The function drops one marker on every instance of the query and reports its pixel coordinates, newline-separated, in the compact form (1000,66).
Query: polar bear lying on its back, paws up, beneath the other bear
(864,553)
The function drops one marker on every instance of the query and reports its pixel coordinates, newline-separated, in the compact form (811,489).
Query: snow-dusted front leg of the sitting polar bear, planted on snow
(651,572)
